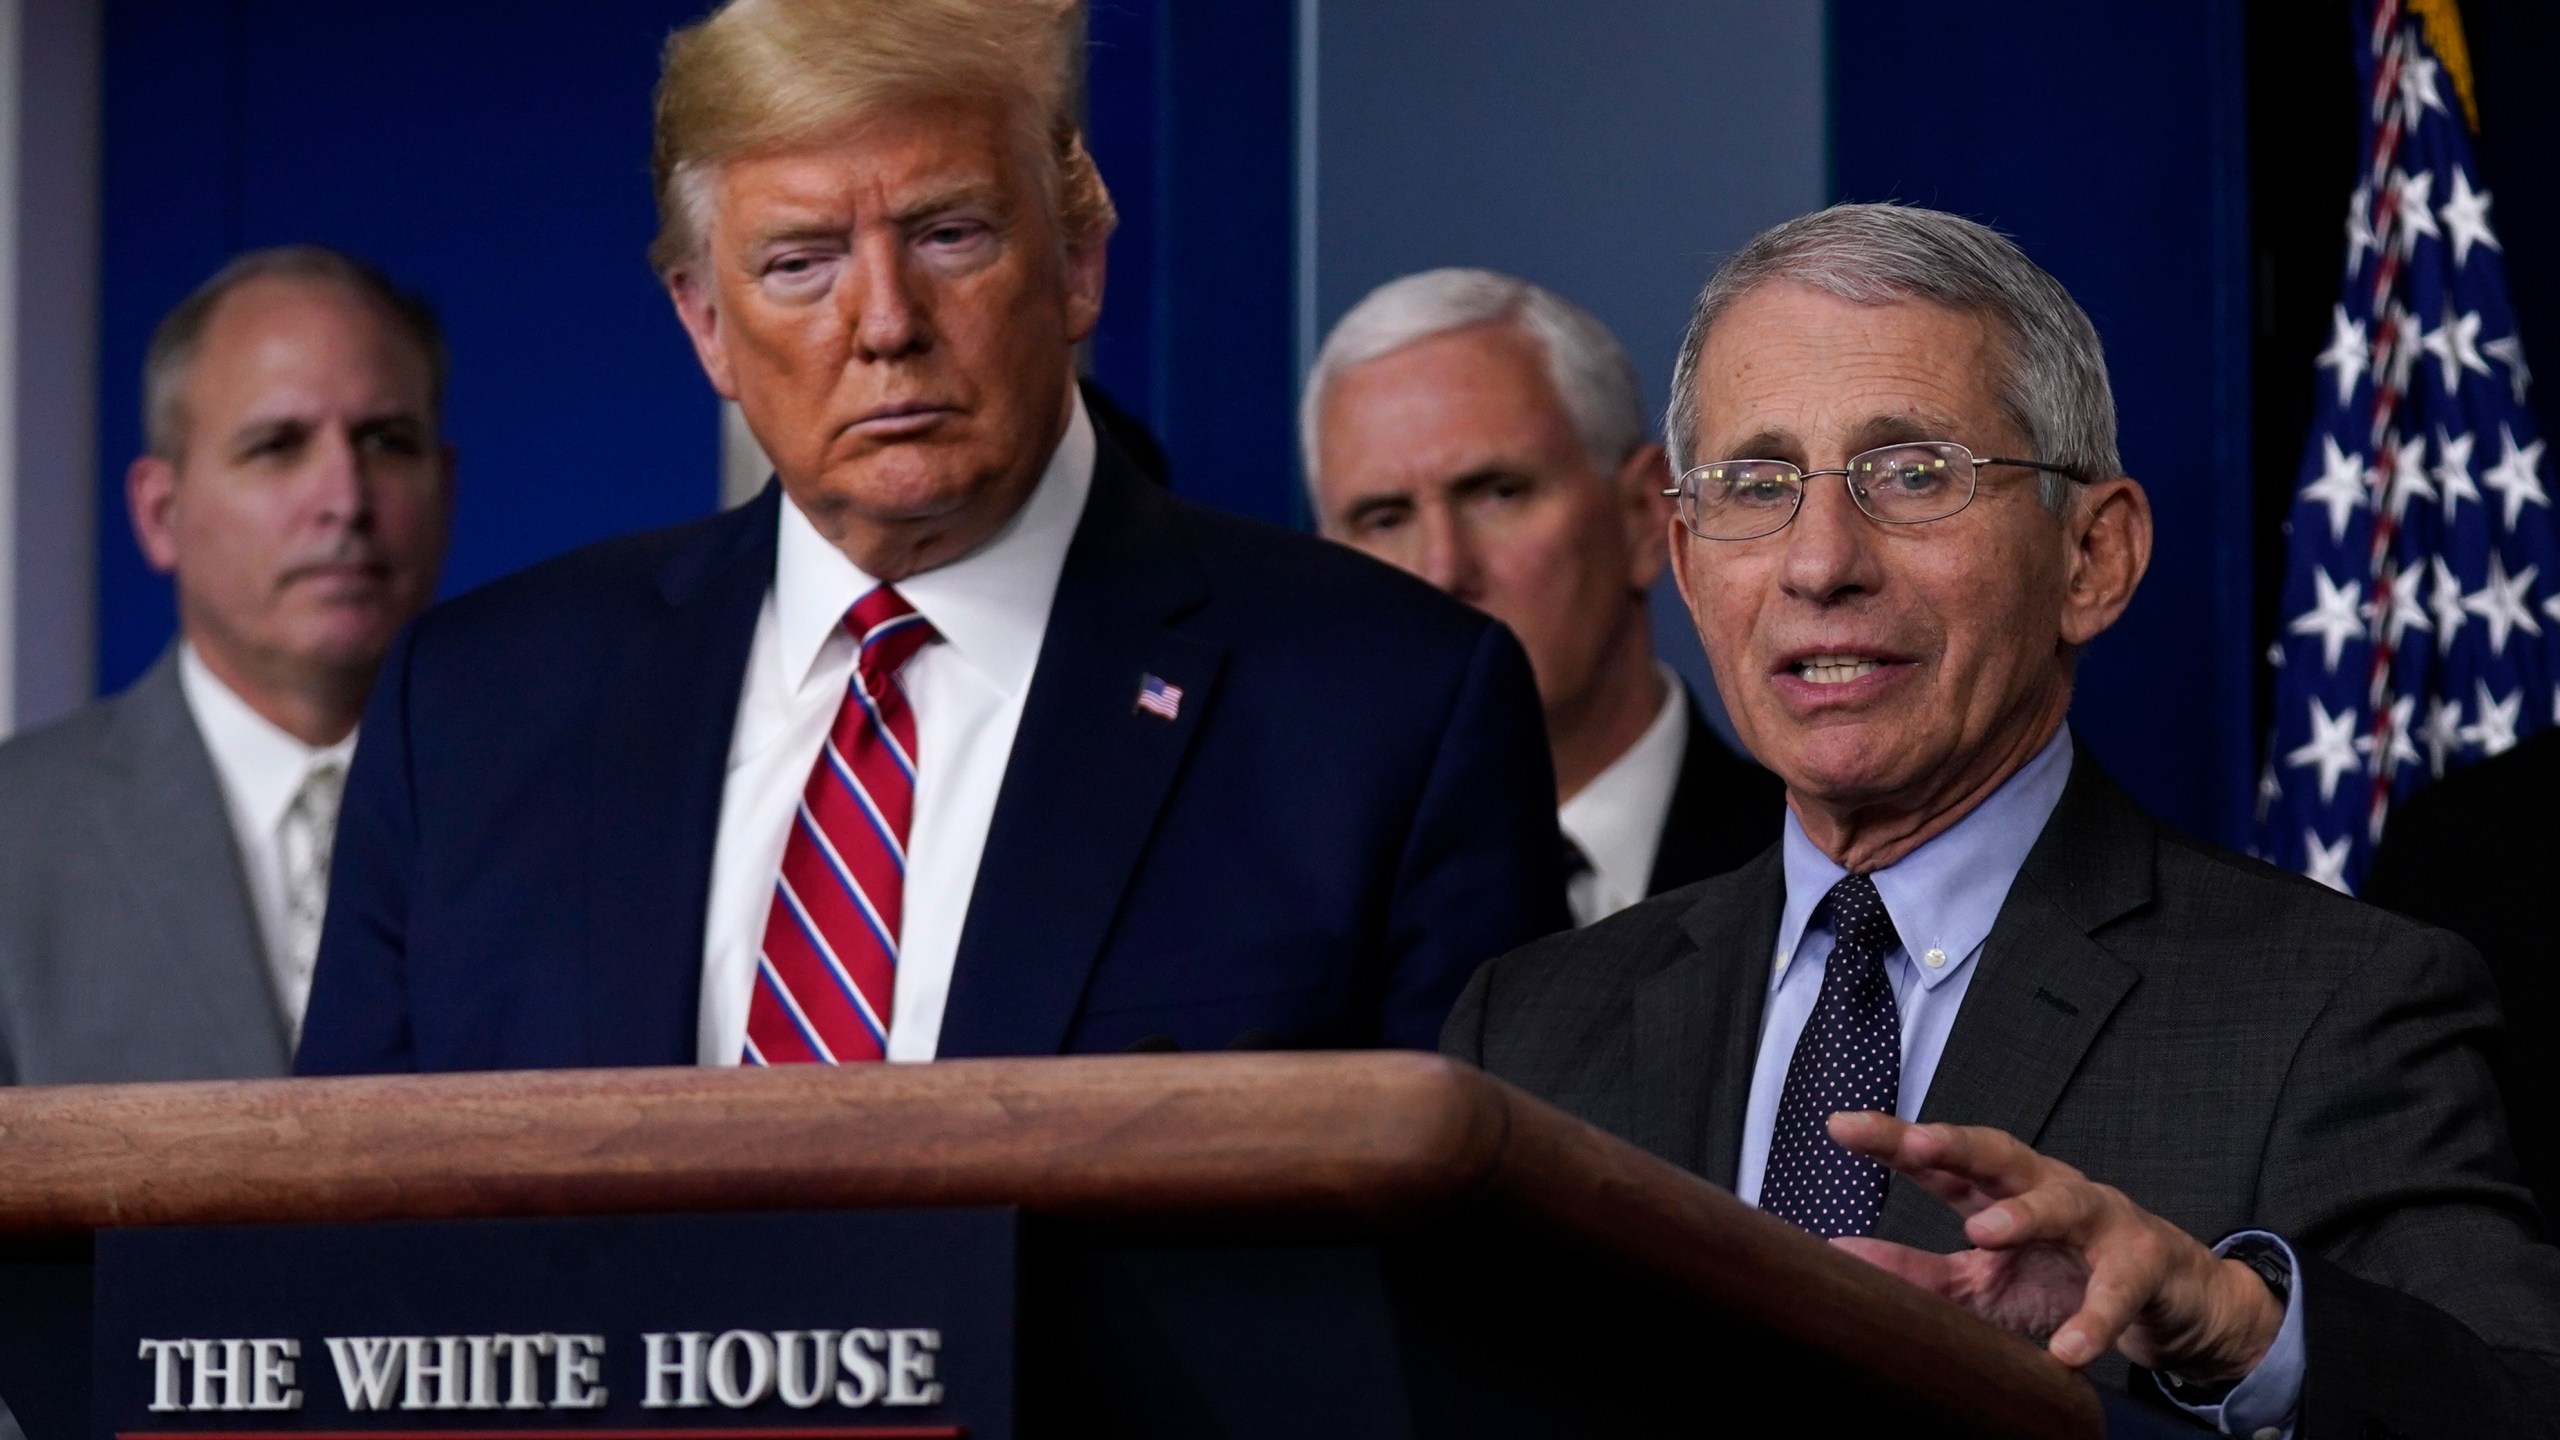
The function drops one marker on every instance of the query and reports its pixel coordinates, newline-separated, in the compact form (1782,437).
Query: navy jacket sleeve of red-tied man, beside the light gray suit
(360,1011)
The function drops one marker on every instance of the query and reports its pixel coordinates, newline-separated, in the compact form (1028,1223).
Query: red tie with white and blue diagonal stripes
(828,975)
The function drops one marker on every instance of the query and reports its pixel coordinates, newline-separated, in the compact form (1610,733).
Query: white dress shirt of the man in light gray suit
(262,770)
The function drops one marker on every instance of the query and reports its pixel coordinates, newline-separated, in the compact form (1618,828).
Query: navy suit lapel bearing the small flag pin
(1089,770)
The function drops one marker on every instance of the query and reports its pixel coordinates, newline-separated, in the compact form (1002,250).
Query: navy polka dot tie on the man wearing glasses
(1847,1060)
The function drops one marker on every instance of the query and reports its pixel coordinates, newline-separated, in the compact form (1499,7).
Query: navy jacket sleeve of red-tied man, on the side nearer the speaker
(1484,870)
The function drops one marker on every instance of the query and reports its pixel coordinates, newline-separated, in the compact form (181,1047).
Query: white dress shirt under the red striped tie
(992,611)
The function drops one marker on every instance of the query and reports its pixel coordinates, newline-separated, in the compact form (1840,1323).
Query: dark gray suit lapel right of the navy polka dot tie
(2044,990)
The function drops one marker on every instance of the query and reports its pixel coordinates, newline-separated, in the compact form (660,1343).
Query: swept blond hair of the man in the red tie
(780,73)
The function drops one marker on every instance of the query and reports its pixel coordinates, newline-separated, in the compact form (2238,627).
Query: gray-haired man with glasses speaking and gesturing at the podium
(1980,1019)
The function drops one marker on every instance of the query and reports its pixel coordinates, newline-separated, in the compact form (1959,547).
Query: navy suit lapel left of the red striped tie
(662,755)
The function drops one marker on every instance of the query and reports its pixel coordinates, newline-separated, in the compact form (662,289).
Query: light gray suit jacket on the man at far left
(127,939)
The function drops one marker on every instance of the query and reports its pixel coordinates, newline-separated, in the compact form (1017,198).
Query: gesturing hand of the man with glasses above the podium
(2065,1259)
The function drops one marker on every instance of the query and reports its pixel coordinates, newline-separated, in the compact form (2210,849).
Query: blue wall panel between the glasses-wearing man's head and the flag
(2108,140)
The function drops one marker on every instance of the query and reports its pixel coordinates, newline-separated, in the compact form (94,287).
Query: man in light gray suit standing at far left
(165,852)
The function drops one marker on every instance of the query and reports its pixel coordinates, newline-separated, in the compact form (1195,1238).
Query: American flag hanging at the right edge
(2423,580)
